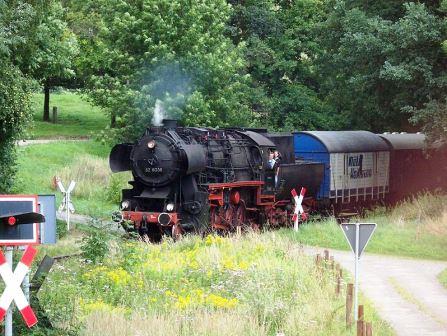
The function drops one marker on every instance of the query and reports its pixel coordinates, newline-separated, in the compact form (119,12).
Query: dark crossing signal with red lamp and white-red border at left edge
(16,216)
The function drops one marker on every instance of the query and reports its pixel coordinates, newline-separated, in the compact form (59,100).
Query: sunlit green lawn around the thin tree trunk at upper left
(76,117)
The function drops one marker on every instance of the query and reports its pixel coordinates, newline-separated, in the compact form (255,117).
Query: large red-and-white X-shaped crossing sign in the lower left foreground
(13,291)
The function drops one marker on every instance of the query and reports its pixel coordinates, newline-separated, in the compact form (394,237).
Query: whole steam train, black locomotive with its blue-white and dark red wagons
(191,179)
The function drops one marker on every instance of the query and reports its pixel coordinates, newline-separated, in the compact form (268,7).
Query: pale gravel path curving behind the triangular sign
(406,292)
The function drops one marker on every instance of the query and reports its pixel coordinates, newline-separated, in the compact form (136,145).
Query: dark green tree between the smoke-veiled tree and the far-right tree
(281,53)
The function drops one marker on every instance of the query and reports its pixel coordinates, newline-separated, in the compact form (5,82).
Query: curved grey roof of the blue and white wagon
(349,141)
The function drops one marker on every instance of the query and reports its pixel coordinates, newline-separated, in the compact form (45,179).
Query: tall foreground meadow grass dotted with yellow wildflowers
(258,284)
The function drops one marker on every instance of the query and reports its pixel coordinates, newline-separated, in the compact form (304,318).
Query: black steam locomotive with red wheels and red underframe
(190,179)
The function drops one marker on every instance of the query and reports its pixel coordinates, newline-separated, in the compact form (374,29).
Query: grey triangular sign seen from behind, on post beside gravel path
(358,236)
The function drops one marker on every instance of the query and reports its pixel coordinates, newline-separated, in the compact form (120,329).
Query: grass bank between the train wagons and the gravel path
(403,231)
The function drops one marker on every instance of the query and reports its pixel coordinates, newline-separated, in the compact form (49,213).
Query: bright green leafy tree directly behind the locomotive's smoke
(171,51)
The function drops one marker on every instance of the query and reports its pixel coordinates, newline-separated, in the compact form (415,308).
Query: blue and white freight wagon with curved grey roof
(356,164)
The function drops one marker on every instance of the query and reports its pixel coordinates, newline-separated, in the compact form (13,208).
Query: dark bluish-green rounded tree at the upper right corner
(378,72)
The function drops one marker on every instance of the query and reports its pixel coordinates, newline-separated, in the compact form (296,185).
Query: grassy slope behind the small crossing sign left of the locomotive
(38,164)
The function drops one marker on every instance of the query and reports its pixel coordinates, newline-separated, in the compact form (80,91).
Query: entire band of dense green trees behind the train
(284,64)
